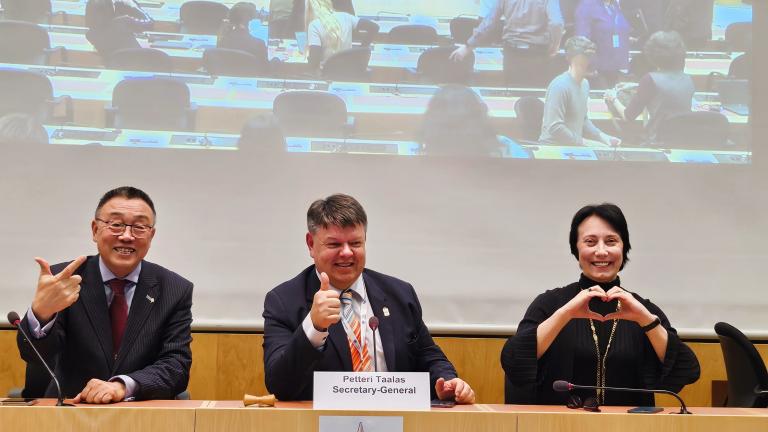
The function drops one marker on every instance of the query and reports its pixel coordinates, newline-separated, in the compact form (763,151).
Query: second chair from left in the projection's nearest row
(151,103)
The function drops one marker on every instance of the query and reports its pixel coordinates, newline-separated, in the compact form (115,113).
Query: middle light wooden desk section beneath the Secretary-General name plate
(300,417)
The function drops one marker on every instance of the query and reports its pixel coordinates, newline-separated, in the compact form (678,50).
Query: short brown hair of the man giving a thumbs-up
(339,210)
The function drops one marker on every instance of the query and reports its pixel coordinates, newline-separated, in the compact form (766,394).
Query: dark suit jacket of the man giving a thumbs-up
(290,359)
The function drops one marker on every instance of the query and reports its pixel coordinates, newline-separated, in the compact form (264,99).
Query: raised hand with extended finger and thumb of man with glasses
(56,293)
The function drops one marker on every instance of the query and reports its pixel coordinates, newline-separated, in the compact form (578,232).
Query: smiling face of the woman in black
(600,249)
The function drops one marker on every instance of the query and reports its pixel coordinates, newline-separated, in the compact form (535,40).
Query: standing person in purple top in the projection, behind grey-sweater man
(602,22)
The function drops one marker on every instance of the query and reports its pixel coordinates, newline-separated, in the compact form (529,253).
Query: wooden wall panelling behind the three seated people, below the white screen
(225,366)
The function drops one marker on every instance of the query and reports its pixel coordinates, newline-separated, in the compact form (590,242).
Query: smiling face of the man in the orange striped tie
(339,252)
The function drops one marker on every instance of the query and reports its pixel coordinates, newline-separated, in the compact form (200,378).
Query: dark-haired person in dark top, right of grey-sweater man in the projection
(664,92)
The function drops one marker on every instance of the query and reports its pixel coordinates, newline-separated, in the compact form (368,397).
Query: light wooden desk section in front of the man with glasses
(150,416)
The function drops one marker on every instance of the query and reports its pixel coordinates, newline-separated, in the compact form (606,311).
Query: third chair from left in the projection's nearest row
(312,113)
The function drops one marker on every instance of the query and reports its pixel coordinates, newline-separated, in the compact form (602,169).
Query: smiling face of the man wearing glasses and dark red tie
(122,252)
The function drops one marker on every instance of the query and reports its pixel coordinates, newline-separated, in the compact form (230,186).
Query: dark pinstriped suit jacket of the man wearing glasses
(155,349)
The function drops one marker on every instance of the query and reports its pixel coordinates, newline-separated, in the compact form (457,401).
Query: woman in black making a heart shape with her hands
(594,332)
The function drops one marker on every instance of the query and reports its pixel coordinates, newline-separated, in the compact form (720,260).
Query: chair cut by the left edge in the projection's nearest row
(23,91)
